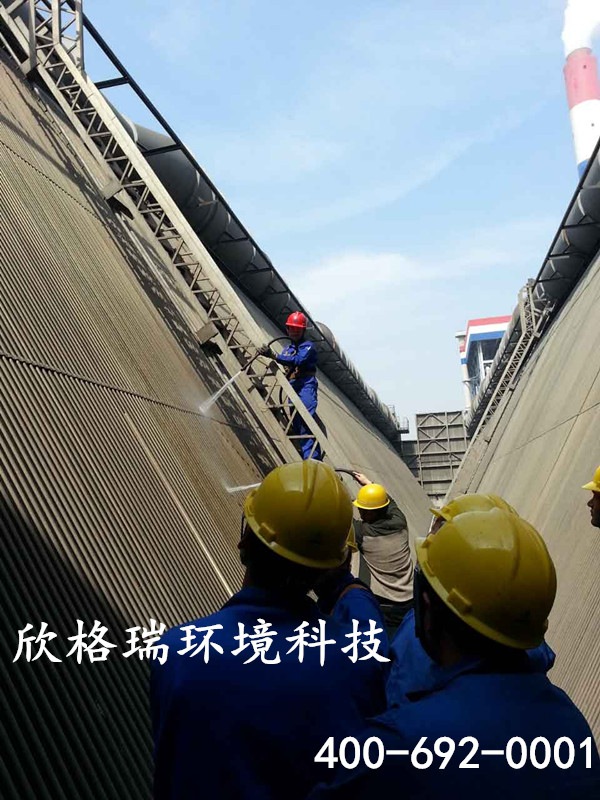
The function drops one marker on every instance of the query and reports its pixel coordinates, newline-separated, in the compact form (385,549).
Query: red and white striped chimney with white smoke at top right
(582,18)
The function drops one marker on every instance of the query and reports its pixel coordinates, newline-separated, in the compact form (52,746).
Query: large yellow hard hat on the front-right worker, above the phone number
(492,569)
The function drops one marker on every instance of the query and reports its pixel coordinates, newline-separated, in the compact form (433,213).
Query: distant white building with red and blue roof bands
(478,345)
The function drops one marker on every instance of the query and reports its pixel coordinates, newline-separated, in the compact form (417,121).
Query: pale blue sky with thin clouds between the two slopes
(404,164)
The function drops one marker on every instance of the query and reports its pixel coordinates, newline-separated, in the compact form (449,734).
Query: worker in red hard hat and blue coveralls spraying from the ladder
(299,359)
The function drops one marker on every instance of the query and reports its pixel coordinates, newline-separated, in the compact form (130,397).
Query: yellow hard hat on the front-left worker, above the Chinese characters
(303,512)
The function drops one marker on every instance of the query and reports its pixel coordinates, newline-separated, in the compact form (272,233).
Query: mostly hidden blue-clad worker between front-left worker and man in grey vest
(346,598)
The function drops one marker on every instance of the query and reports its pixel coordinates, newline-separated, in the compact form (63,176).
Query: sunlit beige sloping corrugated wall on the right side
(545,446)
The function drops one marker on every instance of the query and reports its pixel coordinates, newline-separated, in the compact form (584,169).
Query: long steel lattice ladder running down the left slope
(45,39)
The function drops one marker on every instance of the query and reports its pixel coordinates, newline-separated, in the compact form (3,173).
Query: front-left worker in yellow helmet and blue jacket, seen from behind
(247,720)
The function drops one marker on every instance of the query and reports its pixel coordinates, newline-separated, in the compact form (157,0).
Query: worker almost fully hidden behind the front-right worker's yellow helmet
(411,668)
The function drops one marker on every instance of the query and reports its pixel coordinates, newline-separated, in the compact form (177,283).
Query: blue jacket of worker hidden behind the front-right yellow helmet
(412,669)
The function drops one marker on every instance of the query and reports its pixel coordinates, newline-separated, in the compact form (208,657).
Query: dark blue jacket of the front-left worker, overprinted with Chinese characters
(232,729)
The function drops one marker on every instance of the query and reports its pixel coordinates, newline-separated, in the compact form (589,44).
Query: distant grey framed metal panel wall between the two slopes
(435,455)
